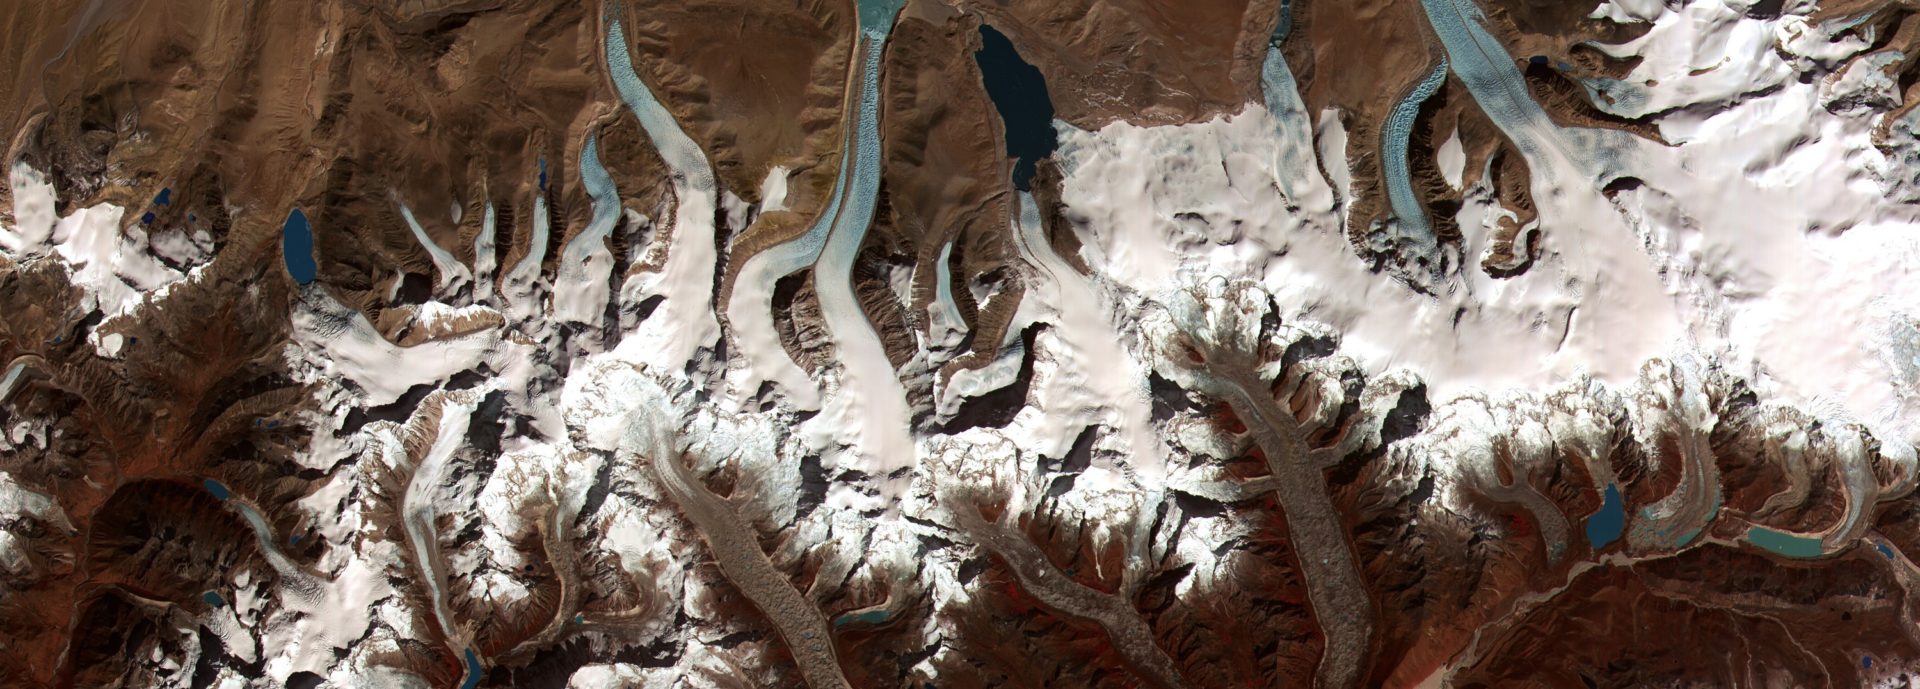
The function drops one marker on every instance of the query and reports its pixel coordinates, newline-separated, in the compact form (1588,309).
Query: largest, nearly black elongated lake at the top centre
(1019,93)
